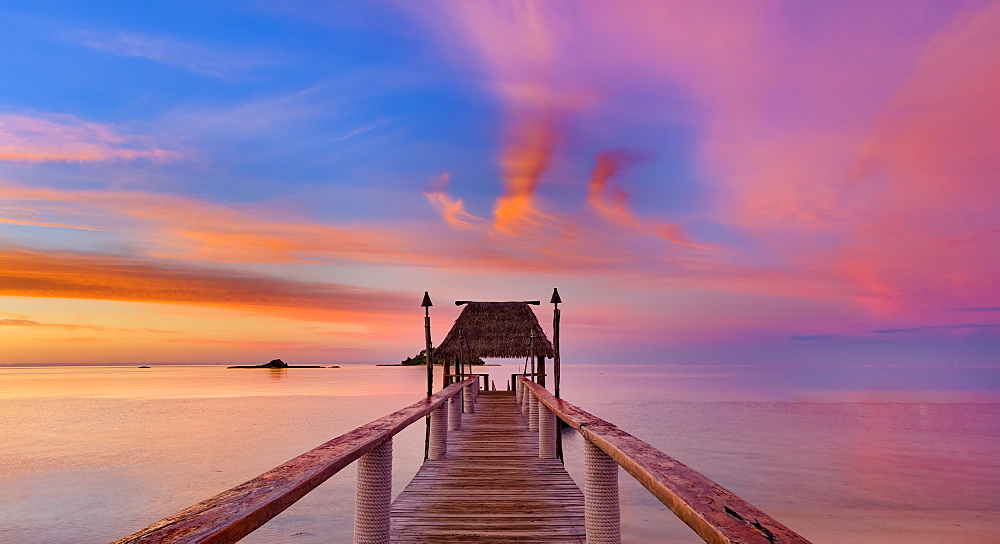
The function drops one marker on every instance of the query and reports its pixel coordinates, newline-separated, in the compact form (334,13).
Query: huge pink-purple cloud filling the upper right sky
(853,147)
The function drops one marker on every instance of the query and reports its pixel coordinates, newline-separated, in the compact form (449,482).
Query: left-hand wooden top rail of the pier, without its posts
(235,513)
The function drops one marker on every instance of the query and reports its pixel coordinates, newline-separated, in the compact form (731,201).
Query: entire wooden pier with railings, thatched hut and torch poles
(491,472)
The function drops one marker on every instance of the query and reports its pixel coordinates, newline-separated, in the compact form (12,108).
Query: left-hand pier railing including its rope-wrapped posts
(235,513)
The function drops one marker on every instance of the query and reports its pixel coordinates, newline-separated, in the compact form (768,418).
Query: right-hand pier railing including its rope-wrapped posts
(716,514)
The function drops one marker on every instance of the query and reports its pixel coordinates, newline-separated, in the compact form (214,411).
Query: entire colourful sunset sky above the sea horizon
(797,183)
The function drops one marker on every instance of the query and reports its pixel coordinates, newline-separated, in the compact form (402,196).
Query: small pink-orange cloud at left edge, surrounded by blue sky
(68,139)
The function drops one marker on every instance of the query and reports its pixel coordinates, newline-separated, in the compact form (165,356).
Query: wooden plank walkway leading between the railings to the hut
(492,487)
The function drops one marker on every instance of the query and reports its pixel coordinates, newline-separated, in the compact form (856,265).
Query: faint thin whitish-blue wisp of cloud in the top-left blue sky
(216,61)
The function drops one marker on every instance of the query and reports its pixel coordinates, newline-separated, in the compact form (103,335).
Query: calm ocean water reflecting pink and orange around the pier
(89,454)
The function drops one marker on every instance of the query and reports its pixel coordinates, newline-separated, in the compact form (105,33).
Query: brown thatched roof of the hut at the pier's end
(495,329)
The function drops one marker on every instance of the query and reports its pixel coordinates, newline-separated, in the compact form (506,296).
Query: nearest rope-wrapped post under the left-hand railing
(371,511)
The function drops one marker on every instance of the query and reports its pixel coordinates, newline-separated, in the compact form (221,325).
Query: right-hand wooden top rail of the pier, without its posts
(716,514)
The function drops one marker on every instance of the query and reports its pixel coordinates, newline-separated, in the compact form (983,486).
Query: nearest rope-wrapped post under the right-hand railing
(602,517)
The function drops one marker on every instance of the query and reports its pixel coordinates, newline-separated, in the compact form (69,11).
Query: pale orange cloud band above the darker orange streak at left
(185,228)
